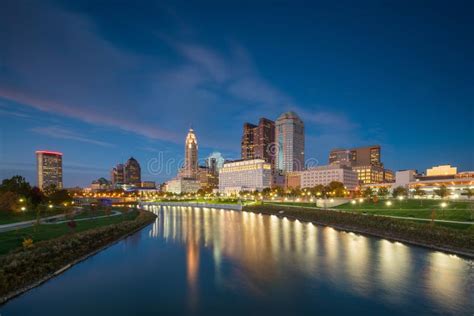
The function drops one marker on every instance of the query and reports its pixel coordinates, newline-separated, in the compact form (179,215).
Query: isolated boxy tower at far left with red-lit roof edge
(49,168)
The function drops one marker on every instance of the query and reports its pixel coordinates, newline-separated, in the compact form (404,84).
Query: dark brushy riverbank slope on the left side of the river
(24,269)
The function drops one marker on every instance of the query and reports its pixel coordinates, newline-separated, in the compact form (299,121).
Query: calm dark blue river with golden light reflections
(198,261)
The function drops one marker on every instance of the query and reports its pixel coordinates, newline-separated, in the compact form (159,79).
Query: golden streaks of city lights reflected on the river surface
(263,249)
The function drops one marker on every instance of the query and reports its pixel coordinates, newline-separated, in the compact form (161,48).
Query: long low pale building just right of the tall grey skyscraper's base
(323,175)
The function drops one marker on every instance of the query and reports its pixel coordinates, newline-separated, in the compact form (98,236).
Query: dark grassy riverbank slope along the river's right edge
(424,235)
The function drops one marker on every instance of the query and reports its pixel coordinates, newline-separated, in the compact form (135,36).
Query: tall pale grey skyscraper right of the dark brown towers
(289,139)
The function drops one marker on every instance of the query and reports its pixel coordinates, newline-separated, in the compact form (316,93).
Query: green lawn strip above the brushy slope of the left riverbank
(13,239)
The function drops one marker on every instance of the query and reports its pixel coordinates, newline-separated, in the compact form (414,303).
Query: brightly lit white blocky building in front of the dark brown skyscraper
(245,175)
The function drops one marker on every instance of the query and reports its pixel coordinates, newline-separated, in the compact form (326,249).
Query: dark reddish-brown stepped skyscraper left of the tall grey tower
(257,140)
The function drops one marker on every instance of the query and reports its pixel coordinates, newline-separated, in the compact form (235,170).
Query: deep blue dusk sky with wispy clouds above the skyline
(102,81)
